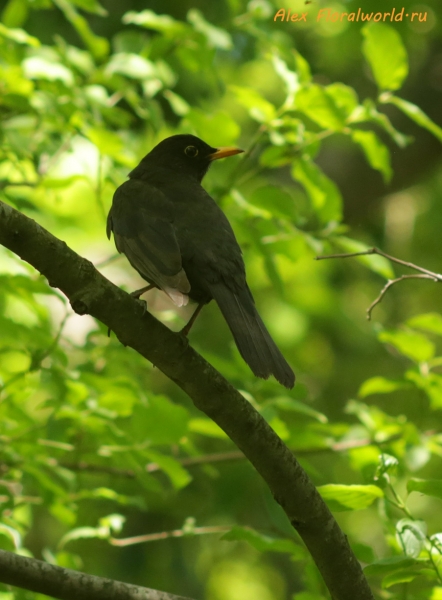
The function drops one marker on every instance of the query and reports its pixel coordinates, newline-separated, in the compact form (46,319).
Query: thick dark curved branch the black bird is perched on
(91,293)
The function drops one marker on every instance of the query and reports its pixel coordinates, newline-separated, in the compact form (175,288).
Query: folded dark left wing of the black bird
(141,219)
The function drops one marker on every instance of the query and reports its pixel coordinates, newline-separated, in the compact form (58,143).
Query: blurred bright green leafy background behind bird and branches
(86,89)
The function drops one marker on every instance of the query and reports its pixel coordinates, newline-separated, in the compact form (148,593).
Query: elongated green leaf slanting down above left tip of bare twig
(323,192)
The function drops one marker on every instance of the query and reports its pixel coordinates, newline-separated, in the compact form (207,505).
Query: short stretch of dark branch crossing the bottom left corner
(66,584)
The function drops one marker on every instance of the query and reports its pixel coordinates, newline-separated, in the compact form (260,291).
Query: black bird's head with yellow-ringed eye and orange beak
(185,154)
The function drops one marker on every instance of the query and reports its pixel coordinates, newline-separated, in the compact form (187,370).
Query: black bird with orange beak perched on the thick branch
(179,240)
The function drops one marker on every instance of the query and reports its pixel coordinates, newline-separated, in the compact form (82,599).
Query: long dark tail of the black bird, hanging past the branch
(251,336)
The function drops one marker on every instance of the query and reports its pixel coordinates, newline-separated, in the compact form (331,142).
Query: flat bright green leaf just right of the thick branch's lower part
(349,497)
